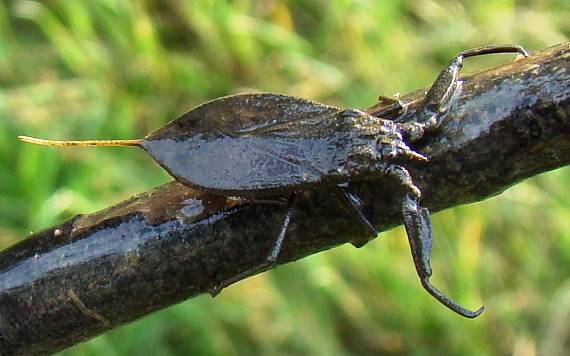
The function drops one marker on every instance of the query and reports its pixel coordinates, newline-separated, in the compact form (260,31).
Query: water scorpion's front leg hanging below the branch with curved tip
(418,229)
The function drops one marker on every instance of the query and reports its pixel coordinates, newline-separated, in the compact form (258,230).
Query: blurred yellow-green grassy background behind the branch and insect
(119,69)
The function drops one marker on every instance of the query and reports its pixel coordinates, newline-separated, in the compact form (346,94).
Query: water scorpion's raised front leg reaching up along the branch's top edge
(447,85)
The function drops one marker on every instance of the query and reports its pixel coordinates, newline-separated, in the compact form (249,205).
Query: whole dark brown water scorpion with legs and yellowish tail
(255,145)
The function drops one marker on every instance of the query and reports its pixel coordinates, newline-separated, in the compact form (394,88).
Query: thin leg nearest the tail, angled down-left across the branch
(270,259)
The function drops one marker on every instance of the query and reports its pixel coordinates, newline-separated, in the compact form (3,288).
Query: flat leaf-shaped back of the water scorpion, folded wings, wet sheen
(252,144)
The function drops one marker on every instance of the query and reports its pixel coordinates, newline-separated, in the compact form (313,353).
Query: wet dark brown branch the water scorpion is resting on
(98,271)
